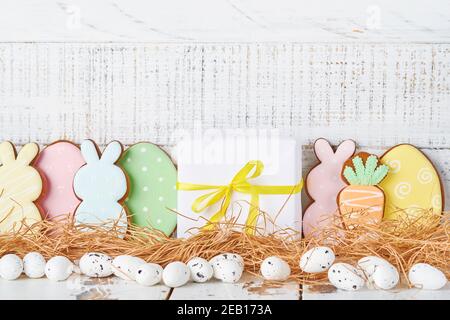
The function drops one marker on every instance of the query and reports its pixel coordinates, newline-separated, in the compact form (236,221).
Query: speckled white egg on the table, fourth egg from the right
(344,276)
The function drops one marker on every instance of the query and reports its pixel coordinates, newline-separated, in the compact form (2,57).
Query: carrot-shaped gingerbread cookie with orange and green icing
(362,201)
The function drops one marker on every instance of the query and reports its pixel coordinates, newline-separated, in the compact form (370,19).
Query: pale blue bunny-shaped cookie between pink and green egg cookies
(101,185)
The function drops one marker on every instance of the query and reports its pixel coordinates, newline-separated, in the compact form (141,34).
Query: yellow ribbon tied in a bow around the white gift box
(239,183)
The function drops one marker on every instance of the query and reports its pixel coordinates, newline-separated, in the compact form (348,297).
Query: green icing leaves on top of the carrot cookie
(368,174)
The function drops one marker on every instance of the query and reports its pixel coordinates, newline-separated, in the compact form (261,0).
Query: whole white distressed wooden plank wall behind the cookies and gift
(376,71)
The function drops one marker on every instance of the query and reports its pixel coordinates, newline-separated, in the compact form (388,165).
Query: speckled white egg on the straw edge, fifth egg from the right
(317,260)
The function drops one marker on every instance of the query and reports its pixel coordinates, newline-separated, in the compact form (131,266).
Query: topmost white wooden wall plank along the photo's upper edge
(224,20)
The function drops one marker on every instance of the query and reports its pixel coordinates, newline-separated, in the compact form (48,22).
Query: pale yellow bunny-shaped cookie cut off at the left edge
(20,185)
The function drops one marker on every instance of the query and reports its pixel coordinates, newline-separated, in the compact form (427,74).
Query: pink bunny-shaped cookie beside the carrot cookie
(324,182)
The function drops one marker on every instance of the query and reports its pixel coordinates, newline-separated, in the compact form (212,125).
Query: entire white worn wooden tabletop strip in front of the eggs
(249,288)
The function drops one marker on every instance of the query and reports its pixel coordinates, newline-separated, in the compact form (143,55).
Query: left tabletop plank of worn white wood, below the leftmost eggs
(79,288)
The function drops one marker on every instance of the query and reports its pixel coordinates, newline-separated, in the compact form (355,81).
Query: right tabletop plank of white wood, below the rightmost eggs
(401,293)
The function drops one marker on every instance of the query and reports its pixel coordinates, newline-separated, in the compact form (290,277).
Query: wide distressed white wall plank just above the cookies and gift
(379,94)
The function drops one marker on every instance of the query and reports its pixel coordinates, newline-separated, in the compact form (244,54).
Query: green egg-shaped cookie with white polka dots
(152,177)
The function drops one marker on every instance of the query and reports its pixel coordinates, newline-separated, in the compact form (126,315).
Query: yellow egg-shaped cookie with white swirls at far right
(412,185)
